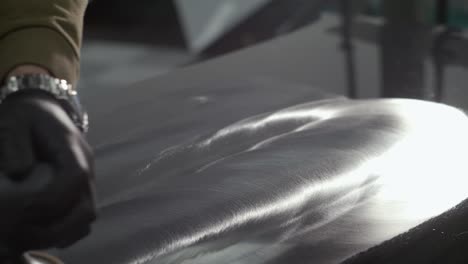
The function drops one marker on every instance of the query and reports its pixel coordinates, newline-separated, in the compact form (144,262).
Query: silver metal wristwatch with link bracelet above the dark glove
(58,88)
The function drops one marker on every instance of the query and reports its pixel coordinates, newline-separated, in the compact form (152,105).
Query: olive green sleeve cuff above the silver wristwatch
(47,33)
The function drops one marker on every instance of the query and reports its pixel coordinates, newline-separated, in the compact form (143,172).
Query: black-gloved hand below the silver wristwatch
(47,182)
